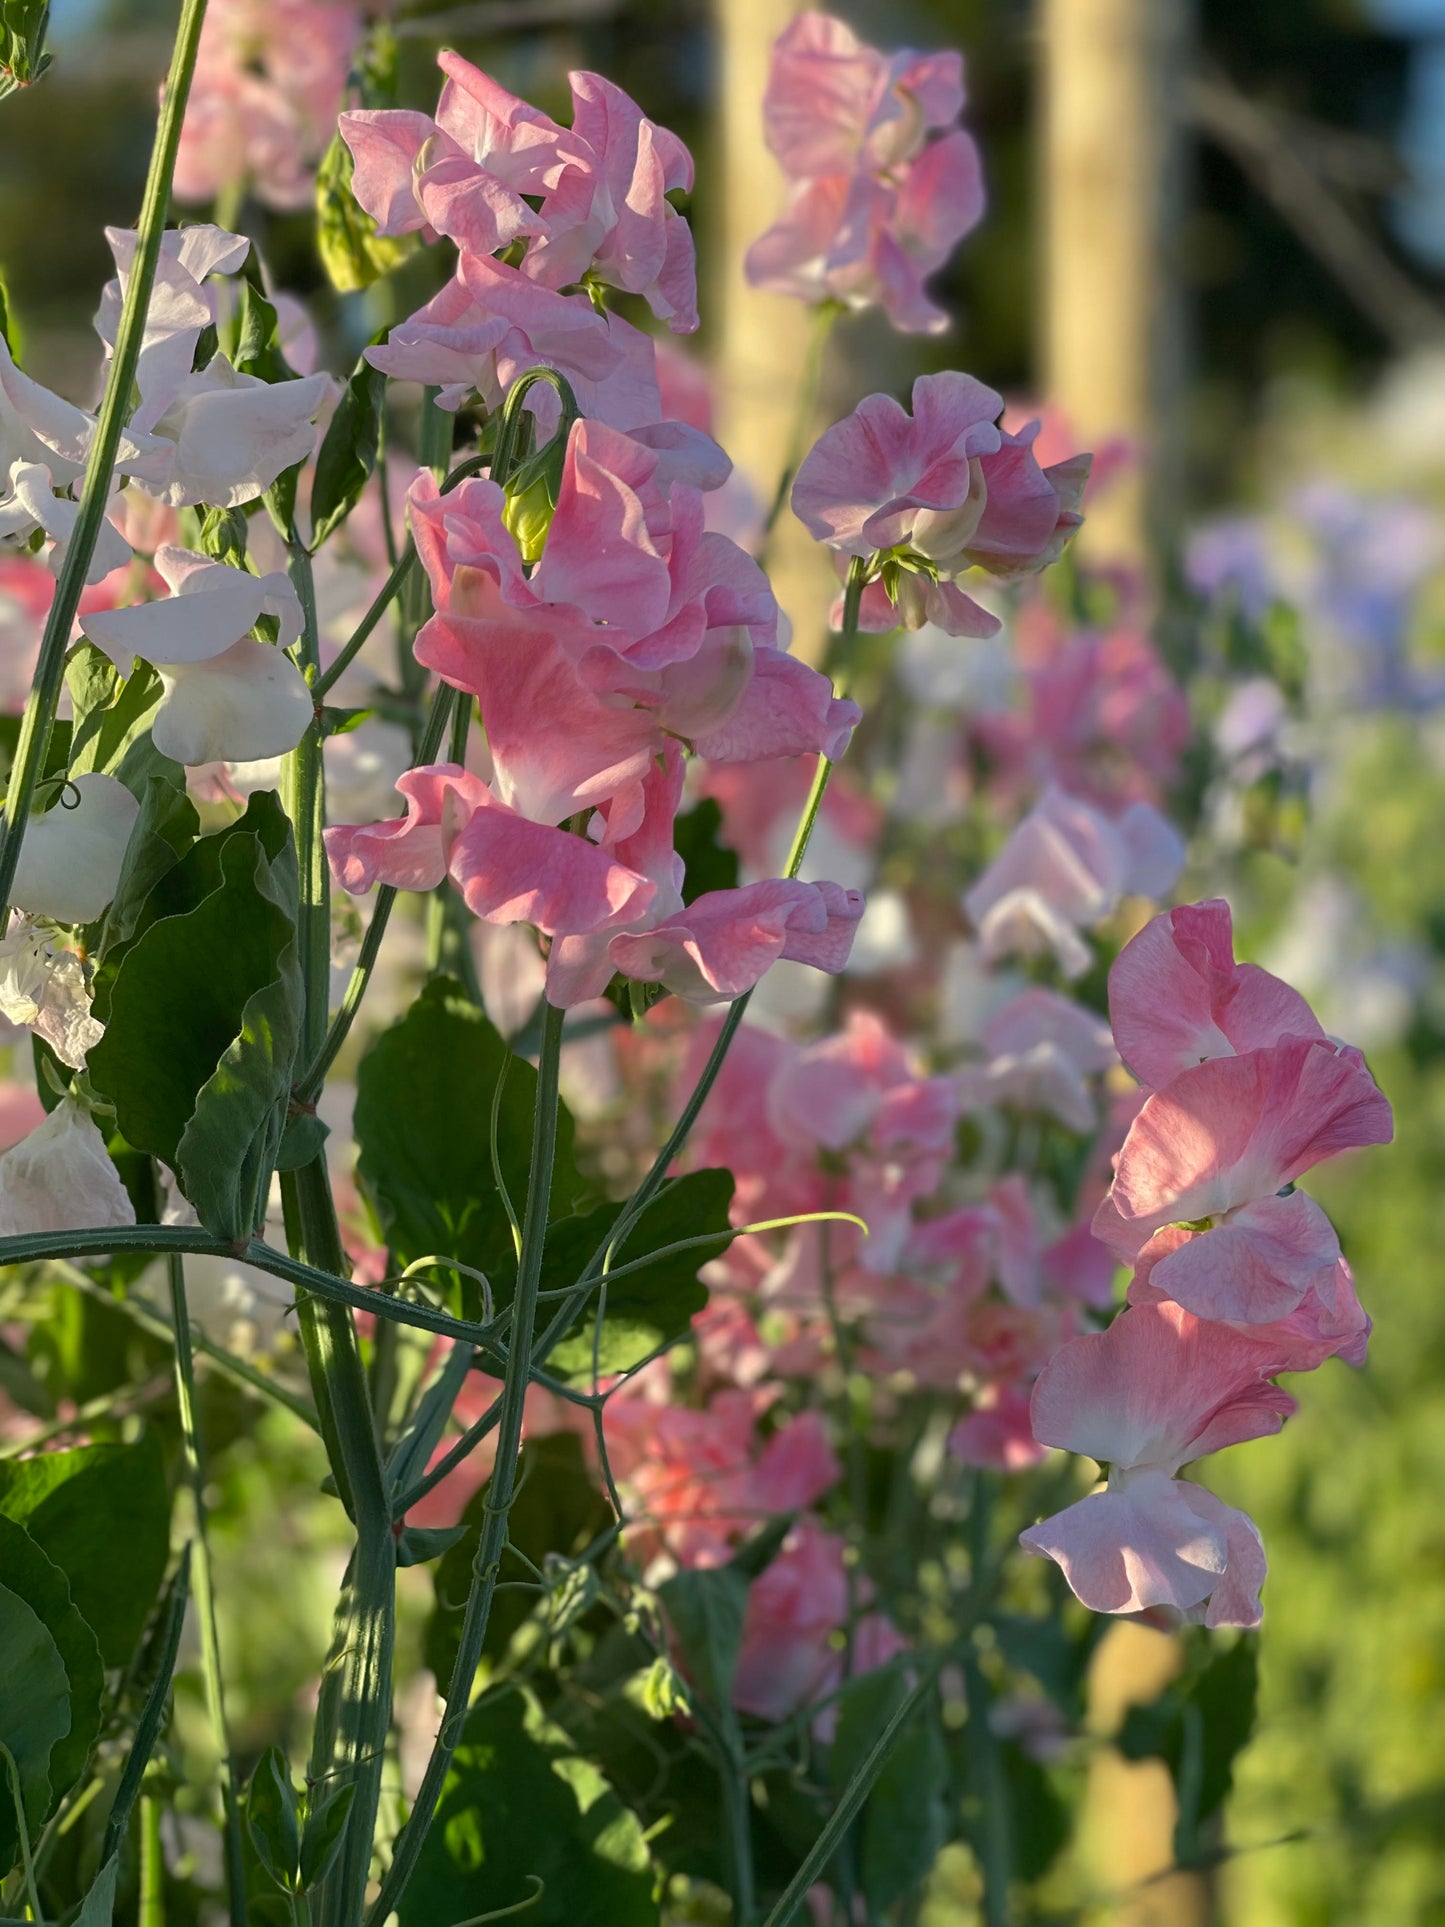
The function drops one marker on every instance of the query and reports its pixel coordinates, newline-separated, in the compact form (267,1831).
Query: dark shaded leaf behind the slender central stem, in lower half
(558,1510)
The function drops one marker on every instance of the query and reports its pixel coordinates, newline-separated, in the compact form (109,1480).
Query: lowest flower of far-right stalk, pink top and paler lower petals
(1145,1398)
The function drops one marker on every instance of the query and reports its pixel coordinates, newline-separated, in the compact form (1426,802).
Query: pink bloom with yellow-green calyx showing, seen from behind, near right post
(932,494)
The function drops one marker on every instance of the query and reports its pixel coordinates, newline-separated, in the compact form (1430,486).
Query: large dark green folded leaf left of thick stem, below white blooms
(209,1095)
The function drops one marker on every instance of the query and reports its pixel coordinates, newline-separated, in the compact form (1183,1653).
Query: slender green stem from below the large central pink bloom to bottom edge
(504,1475)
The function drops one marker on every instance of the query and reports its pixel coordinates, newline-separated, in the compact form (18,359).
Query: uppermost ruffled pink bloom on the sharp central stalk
(602,186)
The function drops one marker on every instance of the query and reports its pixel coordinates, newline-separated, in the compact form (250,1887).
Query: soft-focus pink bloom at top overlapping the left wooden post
(883,180)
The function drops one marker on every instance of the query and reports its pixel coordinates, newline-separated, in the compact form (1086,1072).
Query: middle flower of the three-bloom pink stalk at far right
(1209,1157)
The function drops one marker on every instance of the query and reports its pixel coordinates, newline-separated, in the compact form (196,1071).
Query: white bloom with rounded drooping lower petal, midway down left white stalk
(228,699)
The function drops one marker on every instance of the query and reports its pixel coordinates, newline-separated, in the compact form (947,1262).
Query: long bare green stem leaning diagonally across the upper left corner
(95,492)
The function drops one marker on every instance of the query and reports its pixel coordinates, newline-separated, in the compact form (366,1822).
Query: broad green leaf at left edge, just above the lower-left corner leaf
(103,1516)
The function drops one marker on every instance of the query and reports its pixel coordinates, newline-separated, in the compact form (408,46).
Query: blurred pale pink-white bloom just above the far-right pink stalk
(1066,868)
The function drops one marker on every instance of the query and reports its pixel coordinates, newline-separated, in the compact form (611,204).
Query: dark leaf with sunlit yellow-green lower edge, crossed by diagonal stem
(648,1307)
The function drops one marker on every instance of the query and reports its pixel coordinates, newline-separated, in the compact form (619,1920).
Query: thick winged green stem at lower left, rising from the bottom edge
(354,1718)
